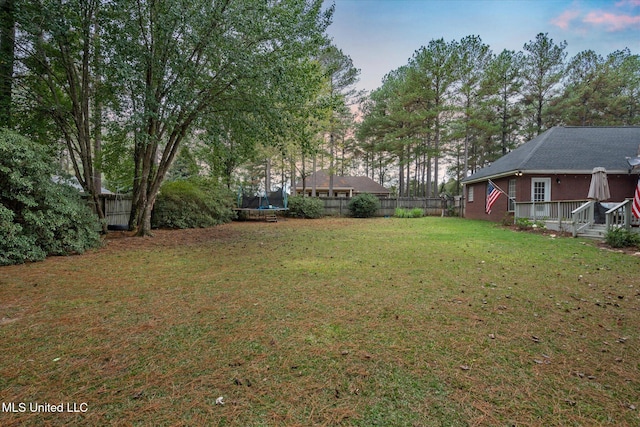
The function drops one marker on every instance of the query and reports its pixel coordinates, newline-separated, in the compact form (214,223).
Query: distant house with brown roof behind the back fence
(343,186)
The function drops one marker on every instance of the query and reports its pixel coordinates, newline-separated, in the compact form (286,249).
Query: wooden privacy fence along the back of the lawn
(339,206)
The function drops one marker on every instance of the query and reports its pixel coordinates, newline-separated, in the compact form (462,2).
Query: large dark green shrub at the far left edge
(39,217)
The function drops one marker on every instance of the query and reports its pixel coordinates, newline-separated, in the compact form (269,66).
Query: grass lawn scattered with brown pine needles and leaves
(389,322)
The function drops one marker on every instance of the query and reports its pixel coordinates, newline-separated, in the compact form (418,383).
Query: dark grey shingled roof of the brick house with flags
(568,150)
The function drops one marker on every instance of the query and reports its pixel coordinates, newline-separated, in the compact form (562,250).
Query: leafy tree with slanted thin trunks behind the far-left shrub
(59,48)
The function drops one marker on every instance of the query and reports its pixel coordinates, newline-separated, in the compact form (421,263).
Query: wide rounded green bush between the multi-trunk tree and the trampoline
(192,203)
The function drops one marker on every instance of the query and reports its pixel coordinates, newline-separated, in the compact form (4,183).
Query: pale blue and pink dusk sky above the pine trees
(381,35)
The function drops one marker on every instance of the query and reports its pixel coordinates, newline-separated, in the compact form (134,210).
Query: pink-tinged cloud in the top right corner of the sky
(615,17)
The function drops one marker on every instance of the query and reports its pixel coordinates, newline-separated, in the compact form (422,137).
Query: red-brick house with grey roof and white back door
(556,166)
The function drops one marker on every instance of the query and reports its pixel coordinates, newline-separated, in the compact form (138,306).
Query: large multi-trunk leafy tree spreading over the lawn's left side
(183,61)
